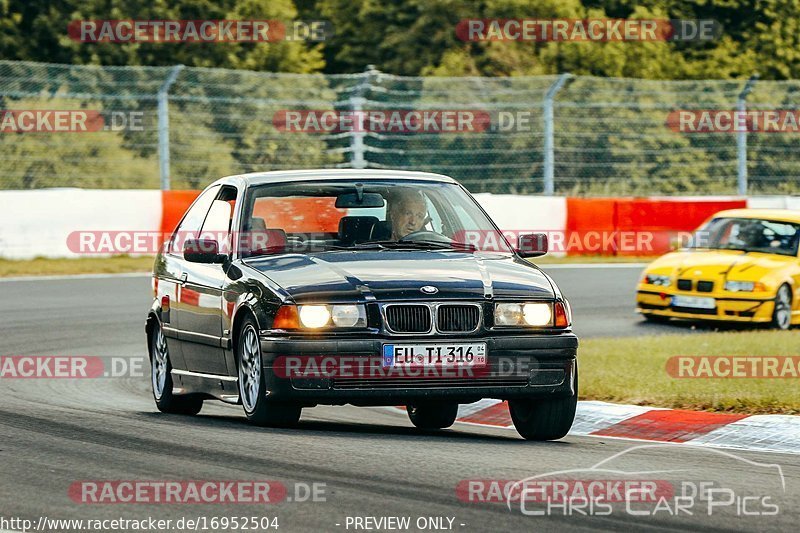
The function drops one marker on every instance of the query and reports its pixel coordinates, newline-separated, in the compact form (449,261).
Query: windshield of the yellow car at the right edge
(749,235)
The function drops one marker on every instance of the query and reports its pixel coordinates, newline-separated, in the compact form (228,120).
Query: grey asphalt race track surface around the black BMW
(372,462)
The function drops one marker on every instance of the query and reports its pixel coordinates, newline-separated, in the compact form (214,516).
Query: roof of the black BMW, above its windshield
(331,174)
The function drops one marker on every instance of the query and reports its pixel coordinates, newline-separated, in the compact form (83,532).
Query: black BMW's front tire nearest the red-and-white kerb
(548,419)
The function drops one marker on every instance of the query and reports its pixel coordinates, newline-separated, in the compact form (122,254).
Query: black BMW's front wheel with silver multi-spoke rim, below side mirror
(257,408)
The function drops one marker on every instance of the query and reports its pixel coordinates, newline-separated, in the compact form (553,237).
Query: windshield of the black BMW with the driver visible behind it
(344,214)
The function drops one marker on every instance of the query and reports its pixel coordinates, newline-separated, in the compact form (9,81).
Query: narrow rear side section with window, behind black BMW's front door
(172,272)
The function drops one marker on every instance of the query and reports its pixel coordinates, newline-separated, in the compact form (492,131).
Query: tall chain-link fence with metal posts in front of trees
(184,127)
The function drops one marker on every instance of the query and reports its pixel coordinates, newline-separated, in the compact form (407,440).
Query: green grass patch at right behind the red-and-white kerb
(632,370)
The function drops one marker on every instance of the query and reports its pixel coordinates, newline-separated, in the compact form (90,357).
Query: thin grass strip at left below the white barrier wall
(85,265)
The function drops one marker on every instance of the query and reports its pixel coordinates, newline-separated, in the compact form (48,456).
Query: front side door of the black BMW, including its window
(200,310)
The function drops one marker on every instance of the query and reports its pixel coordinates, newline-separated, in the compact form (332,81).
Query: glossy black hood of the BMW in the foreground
(399,275)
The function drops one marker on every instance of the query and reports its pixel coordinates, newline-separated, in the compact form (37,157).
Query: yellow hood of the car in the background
(715,264)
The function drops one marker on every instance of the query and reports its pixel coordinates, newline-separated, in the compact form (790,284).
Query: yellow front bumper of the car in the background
(730,307)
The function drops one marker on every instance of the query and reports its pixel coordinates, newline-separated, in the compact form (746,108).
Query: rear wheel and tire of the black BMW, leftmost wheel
(161,379)
